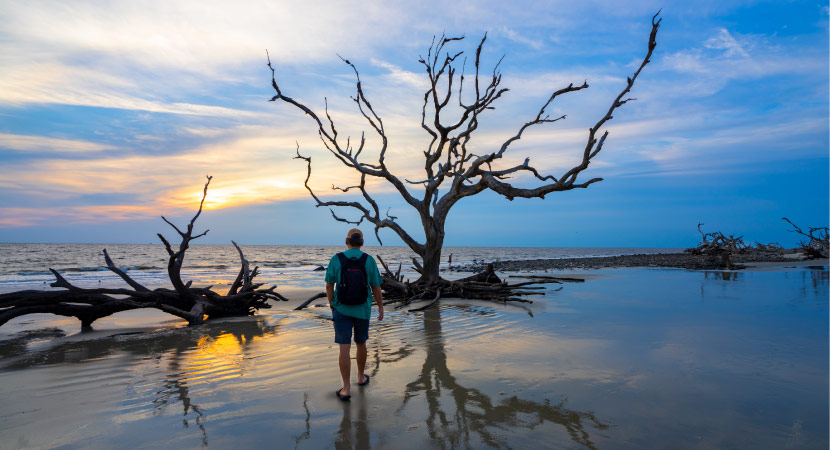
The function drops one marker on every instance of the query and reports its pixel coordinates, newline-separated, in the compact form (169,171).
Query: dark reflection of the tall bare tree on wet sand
(457,413)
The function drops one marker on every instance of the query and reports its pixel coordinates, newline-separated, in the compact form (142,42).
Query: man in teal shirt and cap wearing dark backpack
(350,314)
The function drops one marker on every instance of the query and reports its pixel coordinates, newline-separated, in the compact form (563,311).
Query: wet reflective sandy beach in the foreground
(637,357)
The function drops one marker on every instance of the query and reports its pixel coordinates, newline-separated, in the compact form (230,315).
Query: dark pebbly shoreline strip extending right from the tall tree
(663,260)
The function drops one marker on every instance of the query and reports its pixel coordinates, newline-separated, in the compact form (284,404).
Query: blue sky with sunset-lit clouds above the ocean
(113,112)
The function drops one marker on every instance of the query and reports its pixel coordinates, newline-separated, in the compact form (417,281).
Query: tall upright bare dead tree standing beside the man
(452,171)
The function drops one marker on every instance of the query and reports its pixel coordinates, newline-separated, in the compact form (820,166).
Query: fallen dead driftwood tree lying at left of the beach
(193,304)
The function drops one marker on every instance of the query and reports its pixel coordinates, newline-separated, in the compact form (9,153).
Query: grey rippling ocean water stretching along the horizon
(26,266)
